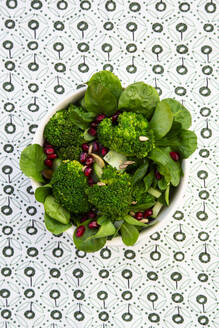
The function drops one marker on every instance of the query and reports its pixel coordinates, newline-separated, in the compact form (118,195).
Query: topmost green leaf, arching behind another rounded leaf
(109,81)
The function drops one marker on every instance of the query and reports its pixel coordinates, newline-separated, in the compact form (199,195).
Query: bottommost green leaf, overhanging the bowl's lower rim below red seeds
(87,244)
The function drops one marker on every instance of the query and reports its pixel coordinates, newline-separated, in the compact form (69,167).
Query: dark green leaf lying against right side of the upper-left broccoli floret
(79,117)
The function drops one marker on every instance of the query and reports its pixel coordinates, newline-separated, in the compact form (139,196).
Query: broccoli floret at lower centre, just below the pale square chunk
(113,198)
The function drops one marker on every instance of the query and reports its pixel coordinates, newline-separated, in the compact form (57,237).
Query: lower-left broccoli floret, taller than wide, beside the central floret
(68,187)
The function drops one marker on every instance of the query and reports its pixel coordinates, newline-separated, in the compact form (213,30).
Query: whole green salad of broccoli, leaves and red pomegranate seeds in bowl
(110,162)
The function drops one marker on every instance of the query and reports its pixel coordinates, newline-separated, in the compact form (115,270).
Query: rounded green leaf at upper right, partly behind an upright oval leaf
(180,113)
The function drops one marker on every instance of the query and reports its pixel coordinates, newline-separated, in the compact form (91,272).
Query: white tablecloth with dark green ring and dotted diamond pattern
(49,48)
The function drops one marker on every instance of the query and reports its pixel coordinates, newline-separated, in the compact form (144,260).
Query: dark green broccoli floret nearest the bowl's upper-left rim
(61,131)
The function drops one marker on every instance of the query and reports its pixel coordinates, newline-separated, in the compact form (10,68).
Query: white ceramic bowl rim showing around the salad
(165,213)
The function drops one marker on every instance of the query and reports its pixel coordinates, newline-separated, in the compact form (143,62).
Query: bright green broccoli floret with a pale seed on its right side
(124,137)
